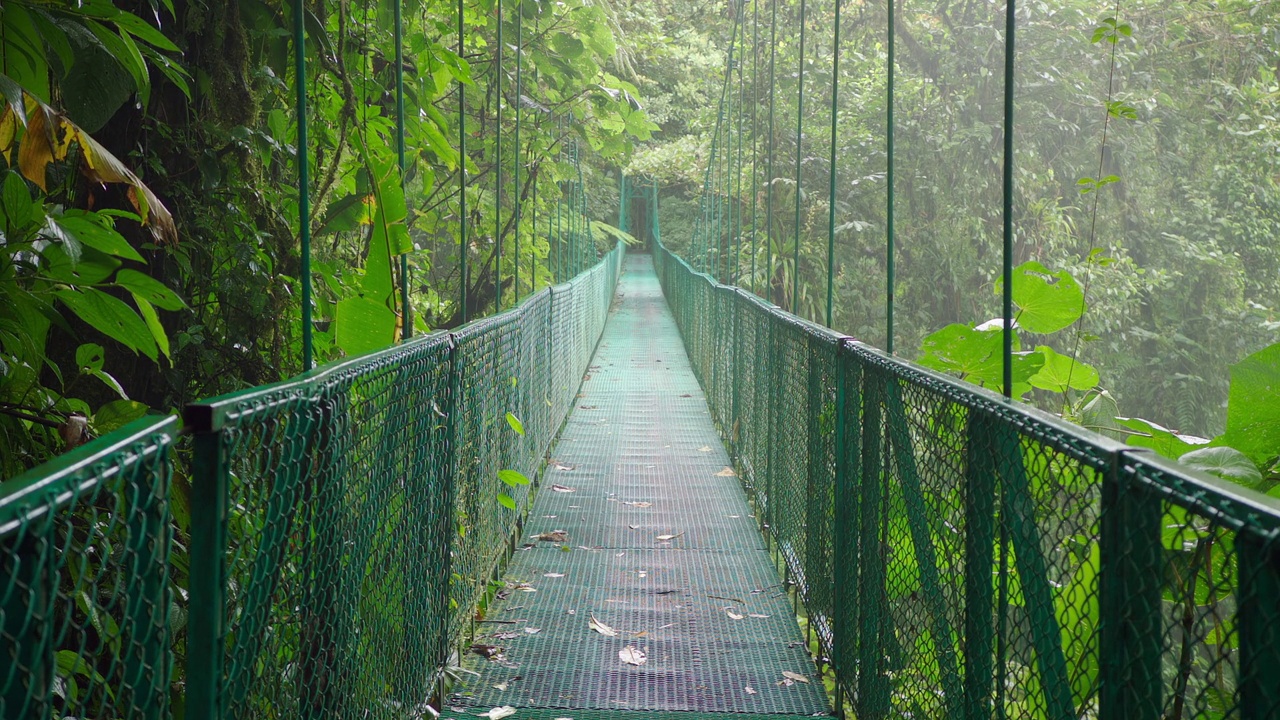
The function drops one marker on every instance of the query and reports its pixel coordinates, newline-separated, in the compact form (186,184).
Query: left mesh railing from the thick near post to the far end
(356,516)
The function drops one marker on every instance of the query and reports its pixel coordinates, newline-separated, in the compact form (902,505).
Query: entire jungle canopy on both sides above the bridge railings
(152,245)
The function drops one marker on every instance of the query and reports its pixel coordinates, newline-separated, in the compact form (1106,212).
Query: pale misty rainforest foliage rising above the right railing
(1146,199)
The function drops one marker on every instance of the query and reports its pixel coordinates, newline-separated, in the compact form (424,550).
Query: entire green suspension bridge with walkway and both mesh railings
(642,493)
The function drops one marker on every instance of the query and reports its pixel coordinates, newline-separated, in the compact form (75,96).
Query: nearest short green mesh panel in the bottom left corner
(85,581)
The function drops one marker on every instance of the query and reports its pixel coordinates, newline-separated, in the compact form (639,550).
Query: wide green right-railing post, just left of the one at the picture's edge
(1131,577)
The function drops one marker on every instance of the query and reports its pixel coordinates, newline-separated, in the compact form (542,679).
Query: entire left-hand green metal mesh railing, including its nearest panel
(344,526)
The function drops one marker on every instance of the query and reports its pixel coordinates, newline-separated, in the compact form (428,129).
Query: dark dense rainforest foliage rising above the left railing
(150,248)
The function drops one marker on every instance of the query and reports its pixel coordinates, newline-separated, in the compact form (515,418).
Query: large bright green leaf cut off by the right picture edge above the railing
(1254,405)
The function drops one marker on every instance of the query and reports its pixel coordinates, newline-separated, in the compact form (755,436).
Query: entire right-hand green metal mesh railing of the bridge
(963,557)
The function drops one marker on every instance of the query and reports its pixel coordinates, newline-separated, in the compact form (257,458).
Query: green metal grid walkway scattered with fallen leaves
(639,462)
